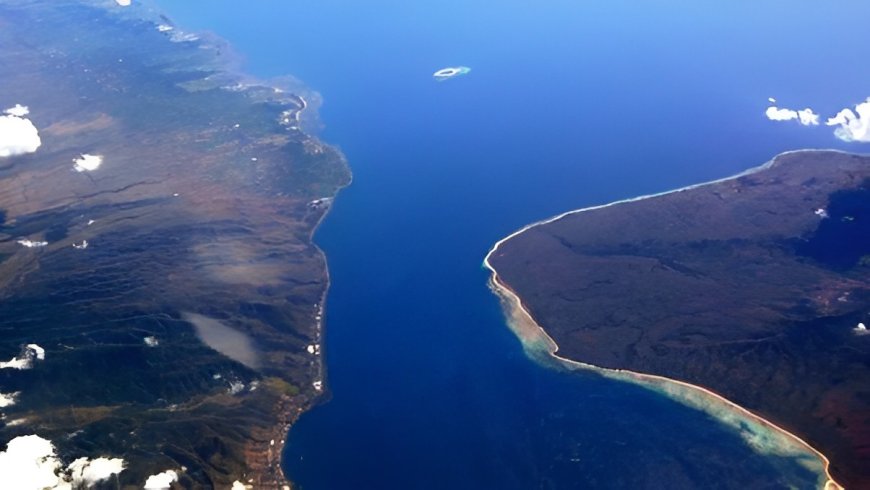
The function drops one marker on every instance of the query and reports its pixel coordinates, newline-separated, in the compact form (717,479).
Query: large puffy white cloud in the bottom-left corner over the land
(30,462)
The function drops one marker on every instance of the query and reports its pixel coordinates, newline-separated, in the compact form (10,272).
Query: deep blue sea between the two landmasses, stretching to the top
(568,104)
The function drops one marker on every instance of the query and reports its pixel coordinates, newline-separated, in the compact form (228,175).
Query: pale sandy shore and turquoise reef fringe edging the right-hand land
(763,435)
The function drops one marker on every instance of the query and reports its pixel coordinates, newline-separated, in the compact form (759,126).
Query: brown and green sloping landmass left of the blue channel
(203,205)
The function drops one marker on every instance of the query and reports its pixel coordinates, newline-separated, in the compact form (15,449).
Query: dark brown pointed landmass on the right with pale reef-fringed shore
(744,297)
